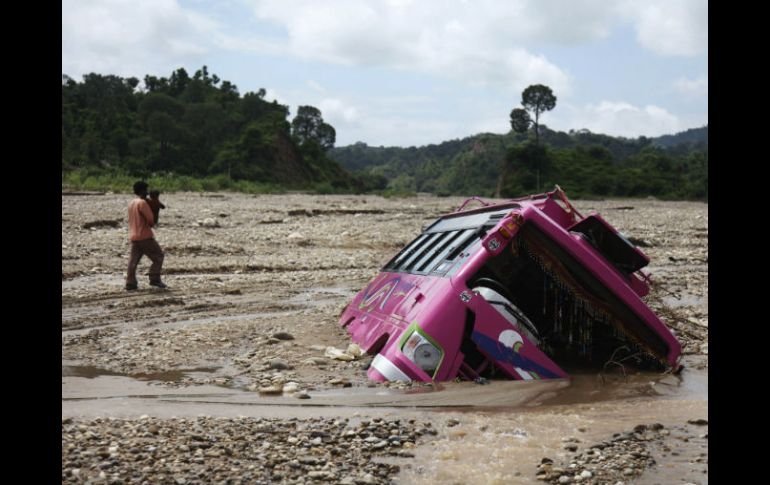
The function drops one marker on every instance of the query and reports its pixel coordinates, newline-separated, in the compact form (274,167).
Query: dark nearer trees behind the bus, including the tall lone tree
(680,171)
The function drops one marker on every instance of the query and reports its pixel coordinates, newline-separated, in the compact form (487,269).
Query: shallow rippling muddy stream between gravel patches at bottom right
(506,447)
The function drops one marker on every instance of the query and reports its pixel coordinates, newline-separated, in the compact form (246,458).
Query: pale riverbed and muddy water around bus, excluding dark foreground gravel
(288,265)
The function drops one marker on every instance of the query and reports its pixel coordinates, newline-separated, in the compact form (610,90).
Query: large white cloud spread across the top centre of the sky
(480,43)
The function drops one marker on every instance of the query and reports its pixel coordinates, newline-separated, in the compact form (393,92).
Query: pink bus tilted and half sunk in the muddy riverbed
(508,290)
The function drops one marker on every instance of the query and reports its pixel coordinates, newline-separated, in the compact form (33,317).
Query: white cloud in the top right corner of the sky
(669,27)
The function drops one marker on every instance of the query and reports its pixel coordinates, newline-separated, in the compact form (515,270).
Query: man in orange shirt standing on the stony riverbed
(140,221)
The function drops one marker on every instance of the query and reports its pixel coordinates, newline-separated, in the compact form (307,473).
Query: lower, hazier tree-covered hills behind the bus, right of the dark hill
(582,162)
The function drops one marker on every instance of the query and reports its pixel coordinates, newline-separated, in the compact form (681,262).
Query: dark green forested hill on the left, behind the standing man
(199,126)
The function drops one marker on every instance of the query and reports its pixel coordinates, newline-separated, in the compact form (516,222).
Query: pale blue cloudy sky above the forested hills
(417,72)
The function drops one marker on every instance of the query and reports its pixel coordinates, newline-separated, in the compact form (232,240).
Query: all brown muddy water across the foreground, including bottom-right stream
(505,428)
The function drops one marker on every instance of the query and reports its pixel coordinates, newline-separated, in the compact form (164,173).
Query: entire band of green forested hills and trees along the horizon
(198,133)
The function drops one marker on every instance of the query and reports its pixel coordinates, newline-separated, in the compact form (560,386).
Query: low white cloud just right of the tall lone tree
(618,118)
